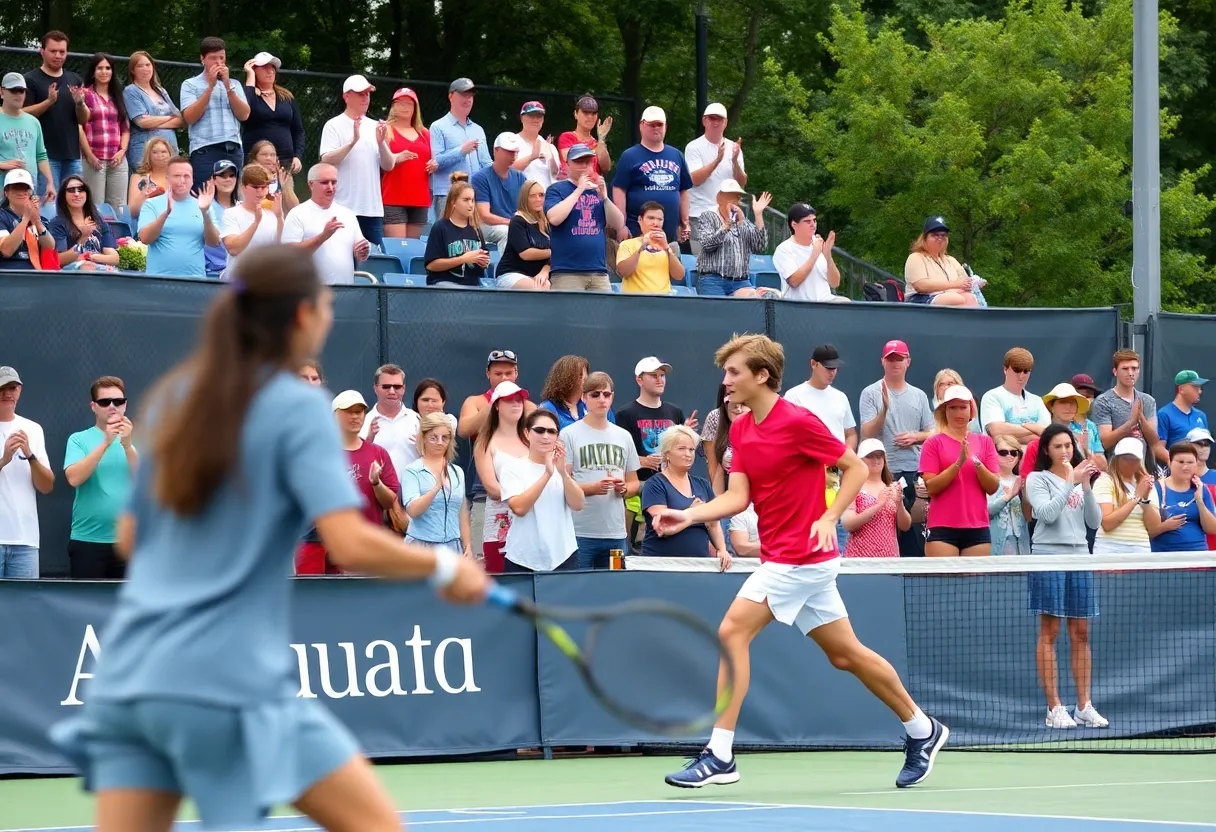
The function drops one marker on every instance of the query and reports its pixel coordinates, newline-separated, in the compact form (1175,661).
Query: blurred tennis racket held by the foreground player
(658,626)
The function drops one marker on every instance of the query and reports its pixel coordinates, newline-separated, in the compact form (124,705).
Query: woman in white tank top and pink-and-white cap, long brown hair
(500,441)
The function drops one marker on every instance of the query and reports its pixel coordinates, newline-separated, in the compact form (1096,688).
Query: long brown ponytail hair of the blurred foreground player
(204,402)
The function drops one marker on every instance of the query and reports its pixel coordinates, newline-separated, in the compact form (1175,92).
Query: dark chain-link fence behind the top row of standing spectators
(320,98)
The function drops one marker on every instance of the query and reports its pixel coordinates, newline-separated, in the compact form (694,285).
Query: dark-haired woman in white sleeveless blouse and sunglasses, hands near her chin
(542,496)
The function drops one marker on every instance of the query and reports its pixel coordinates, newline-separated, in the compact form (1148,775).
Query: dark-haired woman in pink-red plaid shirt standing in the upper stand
(105,137)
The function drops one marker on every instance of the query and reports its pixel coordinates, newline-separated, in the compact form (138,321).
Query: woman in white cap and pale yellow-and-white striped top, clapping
(1131,514)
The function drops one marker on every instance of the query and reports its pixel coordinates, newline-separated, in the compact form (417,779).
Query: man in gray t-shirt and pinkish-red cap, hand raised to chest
(899,414)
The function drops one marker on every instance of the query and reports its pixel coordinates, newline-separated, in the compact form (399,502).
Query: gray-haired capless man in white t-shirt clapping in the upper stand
(330,231)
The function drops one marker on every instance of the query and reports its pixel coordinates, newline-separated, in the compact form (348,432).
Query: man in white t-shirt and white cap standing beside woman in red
(358,148)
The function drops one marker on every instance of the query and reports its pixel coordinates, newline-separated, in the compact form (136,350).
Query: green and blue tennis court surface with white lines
(827,791)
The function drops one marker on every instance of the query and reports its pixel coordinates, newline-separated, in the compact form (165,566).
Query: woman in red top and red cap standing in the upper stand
(407,188)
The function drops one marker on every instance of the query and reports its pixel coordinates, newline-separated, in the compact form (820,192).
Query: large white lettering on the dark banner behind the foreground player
(375,682)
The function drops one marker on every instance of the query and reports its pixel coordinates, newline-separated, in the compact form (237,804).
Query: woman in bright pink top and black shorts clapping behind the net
(961,470)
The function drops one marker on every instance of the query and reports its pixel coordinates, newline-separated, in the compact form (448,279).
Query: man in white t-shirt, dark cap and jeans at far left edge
(24,471)
